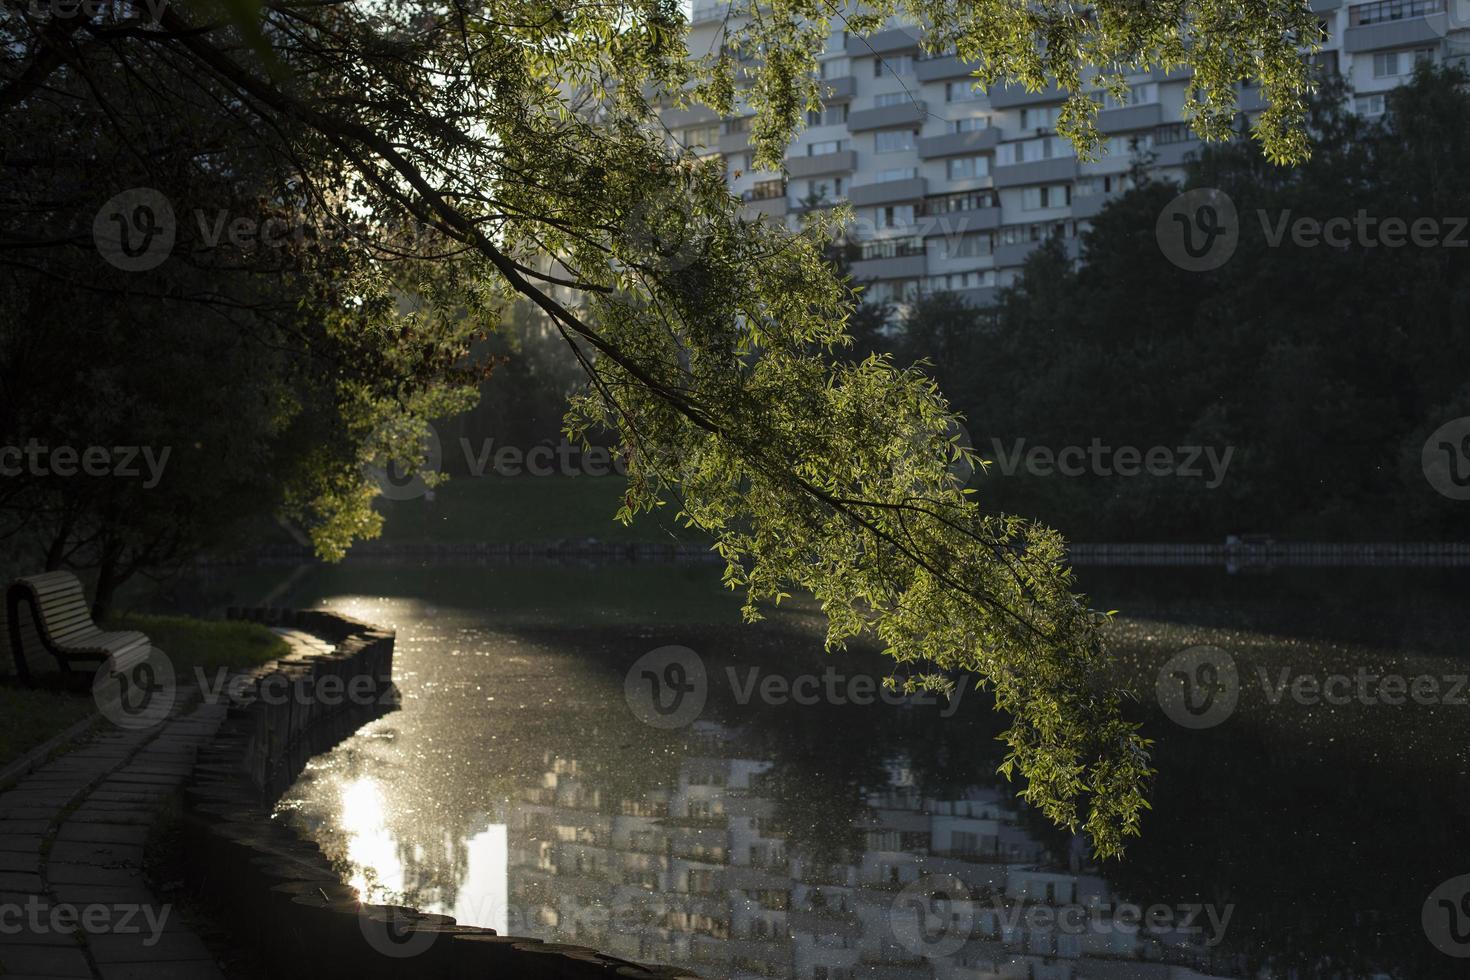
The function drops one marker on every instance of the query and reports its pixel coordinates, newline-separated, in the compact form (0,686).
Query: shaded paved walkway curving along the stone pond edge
(74,901)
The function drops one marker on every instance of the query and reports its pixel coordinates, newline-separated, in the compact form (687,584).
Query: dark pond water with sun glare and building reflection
(611,757)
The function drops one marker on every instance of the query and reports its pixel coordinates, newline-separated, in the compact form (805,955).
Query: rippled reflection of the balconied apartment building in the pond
(700,875)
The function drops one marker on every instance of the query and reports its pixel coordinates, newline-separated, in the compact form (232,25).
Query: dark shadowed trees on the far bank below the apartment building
(1324,370)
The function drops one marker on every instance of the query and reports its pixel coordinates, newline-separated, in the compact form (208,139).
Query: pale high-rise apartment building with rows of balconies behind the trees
(955,187)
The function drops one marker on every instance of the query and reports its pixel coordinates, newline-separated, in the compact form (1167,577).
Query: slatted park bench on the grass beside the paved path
(62,625)
